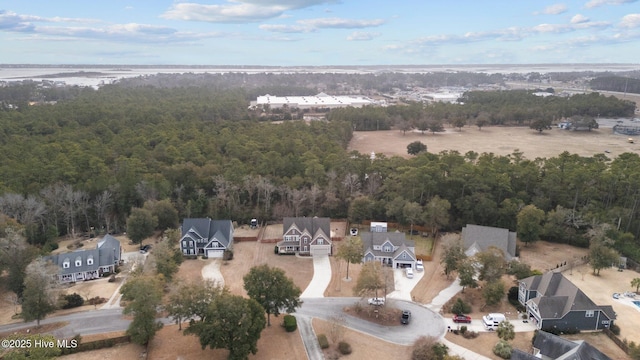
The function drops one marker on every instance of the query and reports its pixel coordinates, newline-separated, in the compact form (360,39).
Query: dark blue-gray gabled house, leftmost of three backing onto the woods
(206,237)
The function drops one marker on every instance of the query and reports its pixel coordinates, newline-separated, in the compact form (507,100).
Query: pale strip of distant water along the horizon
(96,75)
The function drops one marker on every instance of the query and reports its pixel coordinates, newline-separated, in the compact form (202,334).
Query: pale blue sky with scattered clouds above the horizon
(318,32)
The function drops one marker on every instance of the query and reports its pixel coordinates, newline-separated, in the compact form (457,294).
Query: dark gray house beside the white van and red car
(554,302)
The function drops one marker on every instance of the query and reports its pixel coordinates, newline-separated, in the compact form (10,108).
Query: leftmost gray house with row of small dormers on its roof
(88,264)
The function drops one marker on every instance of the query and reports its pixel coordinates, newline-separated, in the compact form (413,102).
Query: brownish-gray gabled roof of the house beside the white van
(556,296)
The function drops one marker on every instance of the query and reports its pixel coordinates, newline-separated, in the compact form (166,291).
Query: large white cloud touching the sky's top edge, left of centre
(237,11)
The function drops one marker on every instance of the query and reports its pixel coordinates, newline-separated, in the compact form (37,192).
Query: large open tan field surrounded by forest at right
(497,140)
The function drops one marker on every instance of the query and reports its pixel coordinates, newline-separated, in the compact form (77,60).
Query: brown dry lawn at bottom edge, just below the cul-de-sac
(361,344)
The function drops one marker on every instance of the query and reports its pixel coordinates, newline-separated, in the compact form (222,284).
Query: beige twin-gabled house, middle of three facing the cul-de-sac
(305,235)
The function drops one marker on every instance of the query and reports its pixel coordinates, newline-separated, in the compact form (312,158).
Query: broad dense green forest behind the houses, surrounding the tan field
(85,163)
